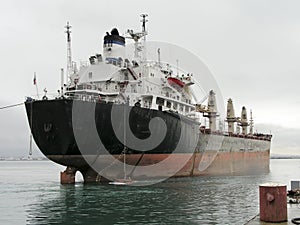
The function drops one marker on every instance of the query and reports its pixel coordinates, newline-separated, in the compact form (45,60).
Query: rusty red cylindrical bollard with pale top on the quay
(272,202)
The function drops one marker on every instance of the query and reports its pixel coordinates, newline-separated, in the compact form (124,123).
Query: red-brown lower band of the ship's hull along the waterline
(210,163)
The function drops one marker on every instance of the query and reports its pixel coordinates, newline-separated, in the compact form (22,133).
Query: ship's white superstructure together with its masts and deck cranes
(114,77)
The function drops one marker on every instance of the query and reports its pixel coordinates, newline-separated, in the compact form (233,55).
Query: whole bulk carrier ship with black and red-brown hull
(141,115)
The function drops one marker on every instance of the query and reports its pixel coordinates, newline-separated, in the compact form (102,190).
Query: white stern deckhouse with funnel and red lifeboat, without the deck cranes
(112,77)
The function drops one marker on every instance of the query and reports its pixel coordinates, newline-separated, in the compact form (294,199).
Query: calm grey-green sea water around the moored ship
(30,193)
